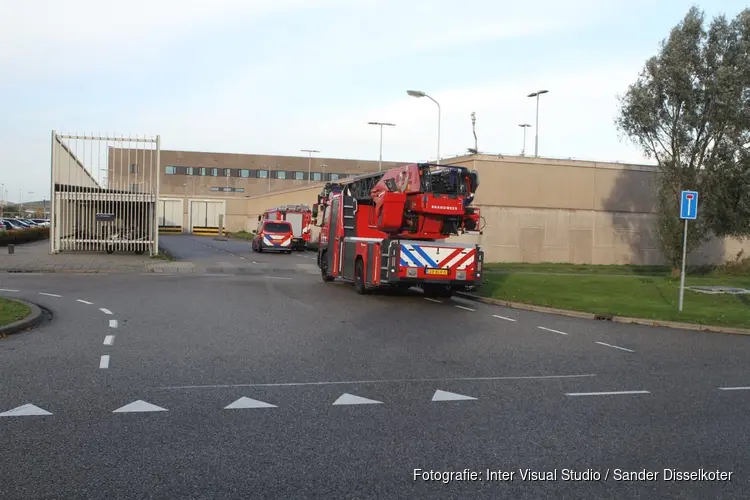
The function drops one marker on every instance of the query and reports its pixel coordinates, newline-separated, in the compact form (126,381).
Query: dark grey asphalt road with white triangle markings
(551,393)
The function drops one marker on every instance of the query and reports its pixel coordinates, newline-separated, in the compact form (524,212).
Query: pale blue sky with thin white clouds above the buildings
(278,76)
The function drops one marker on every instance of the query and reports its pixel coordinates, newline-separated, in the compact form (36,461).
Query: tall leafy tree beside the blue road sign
(689,109)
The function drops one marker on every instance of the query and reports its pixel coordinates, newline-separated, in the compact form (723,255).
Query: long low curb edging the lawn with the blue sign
(615,319)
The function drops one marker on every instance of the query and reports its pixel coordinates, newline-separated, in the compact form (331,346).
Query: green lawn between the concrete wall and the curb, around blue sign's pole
(653,297)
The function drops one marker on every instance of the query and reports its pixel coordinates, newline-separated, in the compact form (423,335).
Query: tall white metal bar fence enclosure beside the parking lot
(104,194)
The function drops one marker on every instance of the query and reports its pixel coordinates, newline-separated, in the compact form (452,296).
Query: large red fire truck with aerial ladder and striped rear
(389,230)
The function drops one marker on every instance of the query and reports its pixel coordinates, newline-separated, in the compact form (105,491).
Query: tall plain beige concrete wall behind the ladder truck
(542,210)
